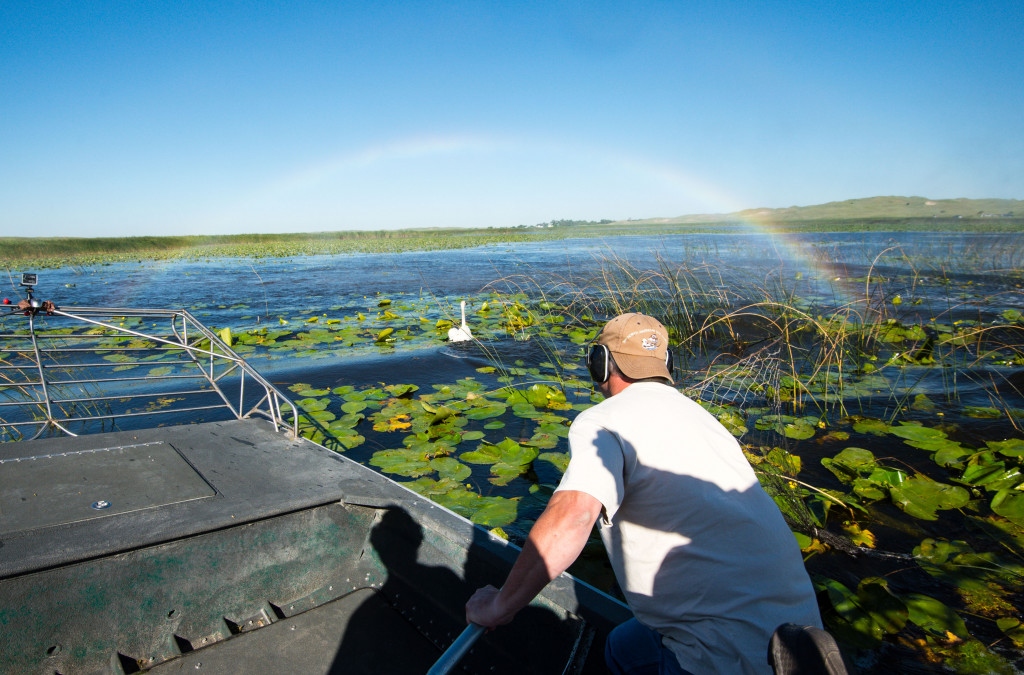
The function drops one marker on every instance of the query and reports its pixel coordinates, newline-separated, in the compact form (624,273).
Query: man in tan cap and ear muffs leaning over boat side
(703,555)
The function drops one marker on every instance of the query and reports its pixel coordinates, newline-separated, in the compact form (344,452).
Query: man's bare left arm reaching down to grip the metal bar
(554,543)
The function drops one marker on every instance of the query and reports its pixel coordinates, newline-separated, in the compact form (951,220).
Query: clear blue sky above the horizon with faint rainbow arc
(163,118)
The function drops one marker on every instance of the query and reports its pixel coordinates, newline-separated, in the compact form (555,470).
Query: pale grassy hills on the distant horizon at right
(875,208)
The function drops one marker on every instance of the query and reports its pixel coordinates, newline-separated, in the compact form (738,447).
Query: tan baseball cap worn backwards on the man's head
(639,345)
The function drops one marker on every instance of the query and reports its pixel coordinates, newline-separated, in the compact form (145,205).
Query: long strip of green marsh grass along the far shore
(57,252)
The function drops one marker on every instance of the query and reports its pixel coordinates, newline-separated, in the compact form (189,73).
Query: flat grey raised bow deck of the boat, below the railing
(69,499)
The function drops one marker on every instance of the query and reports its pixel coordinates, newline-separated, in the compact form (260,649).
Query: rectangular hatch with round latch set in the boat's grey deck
(51,490)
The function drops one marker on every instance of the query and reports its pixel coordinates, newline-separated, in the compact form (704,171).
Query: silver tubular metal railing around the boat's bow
(82,370)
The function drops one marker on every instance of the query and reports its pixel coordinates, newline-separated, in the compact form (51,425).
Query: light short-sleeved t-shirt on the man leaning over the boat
(701,552)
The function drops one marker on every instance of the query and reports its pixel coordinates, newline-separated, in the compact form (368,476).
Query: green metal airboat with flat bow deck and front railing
(230,545)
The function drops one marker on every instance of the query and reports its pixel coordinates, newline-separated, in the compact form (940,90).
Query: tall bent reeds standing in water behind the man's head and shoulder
(783,348)
